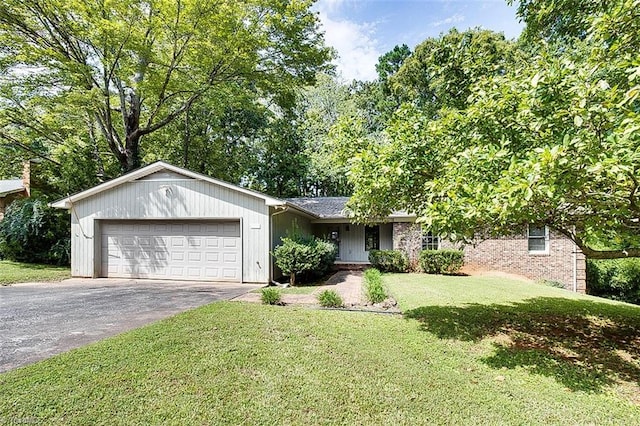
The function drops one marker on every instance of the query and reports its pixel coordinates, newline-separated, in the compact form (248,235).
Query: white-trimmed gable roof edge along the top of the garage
(67,202)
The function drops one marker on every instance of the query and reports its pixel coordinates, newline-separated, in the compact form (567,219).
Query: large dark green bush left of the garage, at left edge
(31,231)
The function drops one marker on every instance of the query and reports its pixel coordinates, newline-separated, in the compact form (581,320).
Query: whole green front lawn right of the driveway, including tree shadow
(449,361)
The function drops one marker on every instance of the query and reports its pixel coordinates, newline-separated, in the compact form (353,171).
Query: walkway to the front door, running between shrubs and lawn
(348,284)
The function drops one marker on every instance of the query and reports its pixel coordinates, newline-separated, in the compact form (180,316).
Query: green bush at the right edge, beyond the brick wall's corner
(617,279)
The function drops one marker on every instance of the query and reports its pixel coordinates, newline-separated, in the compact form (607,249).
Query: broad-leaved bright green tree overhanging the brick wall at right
(555,140)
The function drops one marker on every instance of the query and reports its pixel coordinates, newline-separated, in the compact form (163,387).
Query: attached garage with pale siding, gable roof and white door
(165,222)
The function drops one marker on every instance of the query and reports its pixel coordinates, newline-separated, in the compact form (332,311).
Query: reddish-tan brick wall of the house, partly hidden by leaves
(510,254)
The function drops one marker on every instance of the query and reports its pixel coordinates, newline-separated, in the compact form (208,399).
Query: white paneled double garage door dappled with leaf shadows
(184,250)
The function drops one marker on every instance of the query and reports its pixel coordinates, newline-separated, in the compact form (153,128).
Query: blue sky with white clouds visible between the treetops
(363,30)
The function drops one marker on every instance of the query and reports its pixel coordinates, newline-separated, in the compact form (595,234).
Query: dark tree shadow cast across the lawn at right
(584,345)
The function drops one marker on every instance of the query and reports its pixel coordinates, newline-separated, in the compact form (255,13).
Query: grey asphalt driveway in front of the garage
(41,320)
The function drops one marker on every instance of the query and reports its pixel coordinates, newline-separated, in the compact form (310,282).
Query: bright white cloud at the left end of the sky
(358,50)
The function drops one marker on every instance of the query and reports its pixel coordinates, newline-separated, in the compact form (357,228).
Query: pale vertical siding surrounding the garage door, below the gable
(167,199)
